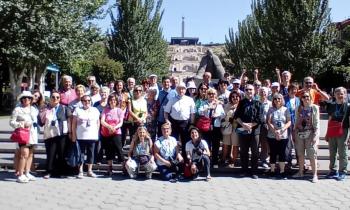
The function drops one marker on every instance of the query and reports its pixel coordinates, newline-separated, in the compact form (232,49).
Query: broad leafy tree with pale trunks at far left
(37,33)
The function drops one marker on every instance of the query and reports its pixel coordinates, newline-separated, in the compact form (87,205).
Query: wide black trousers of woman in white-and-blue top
(55,155)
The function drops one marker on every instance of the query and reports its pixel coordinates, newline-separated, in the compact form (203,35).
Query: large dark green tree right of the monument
(296,35)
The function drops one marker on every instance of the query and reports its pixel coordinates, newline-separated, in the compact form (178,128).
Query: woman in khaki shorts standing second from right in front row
(306,134)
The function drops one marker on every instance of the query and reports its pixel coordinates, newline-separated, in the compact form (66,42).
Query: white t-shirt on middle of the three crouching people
(167,148)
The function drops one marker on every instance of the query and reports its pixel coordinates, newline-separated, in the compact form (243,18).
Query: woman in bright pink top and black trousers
(111,138)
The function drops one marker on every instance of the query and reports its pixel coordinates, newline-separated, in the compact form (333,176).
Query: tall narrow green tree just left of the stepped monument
(136,38)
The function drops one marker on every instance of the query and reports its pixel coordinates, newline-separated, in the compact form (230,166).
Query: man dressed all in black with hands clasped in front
(247,117)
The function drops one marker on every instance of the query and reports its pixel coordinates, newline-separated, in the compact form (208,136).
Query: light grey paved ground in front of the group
(224,191)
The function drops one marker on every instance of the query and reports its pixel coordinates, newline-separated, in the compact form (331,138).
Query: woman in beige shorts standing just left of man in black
(230,140)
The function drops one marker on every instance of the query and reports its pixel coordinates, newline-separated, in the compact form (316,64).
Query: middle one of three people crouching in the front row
(168,155)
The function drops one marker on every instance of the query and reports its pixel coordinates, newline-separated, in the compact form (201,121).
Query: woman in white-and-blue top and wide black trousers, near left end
(55,121)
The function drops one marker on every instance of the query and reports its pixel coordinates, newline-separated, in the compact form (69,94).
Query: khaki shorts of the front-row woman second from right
(302,144)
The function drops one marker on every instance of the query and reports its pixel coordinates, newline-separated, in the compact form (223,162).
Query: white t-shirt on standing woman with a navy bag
(87,123)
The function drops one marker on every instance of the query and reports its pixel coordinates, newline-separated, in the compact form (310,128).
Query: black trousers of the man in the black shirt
(249,141)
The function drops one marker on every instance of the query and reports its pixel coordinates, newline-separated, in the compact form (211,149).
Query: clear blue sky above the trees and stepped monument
(210,20)
